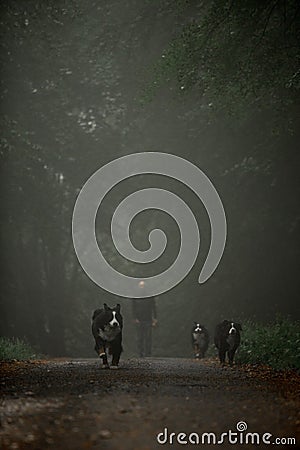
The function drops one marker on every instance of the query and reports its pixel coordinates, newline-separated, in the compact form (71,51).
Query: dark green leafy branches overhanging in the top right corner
(233,55)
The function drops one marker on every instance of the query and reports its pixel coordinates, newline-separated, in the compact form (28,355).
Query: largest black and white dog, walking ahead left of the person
(107,324)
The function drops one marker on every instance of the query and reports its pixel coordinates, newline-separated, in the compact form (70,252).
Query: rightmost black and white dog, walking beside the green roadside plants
(227,339)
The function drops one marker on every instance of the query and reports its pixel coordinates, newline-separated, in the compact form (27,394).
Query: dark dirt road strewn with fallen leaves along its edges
(74,404)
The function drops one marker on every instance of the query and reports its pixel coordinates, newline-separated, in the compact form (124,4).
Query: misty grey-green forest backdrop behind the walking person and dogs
(85,82)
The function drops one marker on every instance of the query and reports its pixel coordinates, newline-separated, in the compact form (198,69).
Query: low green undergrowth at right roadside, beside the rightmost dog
(276,344)
